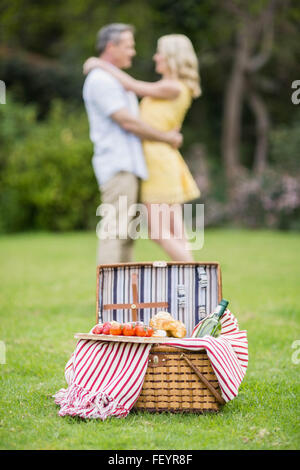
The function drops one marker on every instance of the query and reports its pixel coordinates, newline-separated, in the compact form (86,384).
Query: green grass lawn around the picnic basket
(48,292)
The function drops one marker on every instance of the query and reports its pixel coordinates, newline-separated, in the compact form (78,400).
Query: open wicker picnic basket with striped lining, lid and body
(176,380)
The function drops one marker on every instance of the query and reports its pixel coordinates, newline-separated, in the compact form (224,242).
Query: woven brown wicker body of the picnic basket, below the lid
(179,381)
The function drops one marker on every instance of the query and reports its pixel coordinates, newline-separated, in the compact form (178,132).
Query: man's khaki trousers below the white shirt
(117,250)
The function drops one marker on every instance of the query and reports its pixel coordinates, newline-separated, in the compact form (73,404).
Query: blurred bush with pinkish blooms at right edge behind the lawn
(270,200)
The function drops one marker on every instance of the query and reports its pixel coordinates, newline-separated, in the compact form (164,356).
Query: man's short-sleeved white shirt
(114,148)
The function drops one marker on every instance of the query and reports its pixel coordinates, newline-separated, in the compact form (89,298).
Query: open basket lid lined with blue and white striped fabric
(189,291)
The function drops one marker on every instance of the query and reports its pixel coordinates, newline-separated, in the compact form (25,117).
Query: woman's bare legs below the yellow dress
(162,229)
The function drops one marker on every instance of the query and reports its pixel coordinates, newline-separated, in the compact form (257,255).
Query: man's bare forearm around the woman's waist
(143,130)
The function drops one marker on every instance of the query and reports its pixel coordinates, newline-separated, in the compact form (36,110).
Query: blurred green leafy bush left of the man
(47,178)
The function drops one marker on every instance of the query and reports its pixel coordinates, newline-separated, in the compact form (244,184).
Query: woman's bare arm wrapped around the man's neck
(164,89)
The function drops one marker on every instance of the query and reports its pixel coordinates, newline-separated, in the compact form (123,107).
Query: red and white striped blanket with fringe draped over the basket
(105,378)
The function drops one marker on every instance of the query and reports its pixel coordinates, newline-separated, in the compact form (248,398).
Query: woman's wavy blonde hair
(181,59)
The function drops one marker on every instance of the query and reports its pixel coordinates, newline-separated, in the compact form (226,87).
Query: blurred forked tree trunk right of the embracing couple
(253,48)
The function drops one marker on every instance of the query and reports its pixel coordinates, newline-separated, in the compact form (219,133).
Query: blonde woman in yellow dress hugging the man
(164,106)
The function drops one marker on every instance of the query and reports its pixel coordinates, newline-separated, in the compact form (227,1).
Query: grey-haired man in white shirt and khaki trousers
(115,131)
